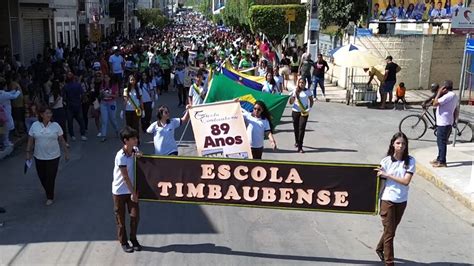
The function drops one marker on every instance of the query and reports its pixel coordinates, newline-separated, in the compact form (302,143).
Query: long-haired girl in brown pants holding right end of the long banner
(397,169)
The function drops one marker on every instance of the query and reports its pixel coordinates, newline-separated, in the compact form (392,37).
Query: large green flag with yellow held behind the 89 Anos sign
(223,88)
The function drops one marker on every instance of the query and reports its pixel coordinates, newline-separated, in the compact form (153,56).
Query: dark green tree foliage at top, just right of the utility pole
(341,12)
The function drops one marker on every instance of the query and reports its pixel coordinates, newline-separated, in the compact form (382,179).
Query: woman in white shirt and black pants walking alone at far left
(45,136)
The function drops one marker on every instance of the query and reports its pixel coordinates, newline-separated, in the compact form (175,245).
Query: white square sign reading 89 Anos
(219,130)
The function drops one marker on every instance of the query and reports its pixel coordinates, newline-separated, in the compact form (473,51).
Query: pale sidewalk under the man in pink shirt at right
(458,178)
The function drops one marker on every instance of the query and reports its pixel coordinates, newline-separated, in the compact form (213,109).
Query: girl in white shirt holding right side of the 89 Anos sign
(258,126)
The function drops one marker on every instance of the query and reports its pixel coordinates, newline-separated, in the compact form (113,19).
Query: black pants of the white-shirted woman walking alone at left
(47,171)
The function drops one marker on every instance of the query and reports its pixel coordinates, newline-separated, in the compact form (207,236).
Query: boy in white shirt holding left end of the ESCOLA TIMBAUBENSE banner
(123,194)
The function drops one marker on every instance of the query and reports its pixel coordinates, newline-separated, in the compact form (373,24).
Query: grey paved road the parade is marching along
(79,228)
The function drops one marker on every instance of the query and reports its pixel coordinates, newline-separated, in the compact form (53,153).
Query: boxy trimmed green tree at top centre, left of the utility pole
(270,19)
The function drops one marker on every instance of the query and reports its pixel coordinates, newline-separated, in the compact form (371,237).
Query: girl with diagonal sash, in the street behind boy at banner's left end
(133,103)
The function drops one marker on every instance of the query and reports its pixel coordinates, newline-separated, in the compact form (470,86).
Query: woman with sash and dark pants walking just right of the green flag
(302,101)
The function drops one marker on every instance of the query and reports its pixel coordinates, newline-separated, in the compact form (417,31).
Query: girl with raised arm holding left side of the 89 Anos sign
(163,131)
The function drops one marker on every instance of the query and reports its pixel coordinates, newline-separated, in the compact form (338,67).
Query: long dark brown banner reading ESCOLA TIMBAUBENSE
(347,188)
